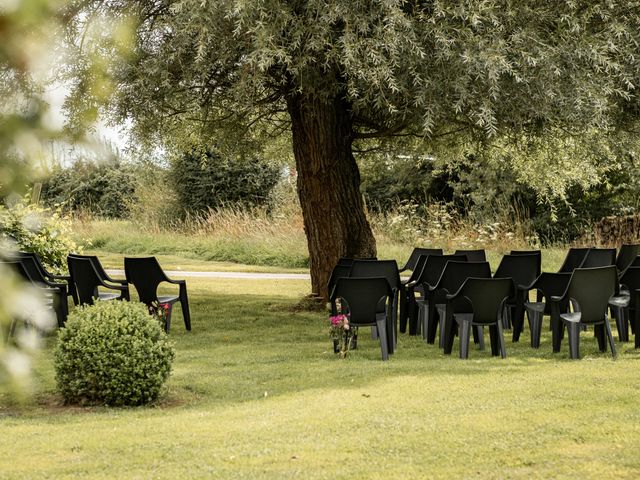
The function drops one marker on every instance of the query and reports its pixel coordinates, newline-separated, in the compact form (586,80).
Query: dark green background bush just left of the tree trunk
(211,180)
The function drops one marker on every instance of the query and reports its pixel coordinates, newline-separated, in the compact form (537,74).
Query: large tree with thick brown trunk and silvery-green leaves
(338,72)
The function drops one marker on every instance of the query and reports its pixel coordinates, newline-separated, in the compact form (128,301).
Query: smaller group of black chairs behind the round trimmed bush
(88,282)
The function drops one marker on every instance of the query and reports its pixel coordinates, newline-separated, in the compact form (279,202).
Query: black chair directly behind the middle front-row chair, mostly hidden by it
(452,278)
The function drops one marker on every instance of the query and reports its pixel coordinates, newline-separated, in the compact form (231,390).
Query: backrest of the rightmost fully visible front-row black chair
(592,288)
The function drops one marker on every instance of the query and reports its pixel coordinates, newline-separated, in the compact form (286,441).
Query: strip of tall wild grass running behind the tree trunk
(275,237)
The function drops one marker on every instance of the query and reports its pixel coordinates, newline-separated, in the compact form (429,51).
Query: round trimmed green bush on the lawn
(112,353)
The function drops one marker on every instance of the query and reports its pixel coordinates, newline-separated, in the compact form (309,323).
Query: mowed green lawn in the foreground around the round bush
(257,393)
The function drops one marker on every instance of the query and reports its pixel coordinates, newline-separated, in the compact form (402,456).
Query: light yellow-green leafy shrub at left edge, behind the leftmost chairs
(33,228)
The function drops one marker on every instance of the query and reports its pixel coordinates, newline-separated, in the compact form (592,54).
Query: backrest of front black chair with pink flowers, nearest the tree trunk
(364,297)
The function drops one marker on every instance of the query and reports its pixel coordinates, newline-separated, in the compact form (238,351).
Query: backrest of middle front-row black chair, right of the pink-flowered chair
(486,296)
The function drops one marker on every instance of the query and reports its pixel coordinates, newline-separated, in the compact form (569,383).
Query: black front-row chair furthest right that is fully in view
(589,293)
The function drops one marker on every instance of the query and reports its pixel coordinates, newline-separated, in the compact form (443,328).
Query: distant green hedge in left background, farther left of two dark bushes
(104,189)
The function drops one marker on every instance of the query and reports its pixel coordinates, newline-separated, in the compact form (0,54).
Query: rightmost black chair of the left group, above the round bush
(146,274)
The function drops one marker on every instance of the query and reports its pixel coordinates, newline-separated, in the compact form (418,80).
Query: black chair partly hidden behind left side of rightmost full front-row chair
(547,285)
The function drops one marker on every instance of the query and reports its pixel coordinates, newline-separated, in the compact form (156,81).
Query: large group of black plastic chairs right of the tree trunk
(458,290)
